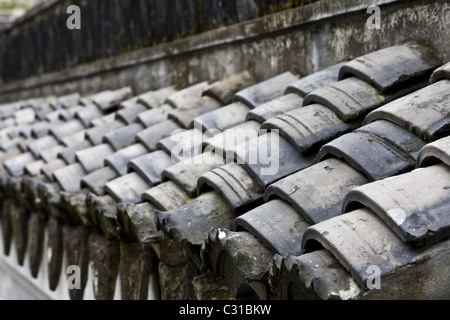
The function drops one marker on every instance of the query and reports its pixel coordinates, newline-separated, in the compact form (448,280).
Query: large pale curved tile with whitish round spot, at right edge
(415,205)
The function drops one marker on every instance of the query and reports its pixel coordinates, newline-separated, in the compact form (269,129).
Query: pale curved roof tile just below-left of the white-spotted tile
(359,240)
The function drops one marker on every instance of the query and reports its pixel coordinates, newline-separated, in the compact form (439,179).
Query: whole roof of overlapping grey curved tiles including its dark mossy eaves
(337,173)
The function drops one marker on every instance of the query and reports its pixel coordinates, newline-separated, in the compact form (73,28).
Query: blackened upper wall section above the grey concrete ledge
(41,42)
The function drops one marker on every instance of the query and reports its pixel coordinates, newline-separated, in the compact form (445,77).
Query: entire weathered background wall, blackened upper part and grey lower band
(301,40)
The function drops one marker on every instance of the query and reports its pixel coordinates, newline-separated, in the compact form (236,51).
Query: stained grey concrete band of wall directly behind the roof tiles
(301,40)
